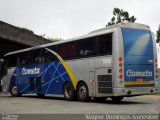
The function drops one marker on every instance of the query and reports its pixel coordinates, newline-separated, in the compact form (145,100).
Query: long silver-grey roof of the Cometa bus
(90,34)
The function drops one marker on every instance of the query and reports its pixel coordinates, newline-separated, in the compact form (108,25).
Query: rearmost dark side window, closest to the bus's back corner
(105,44)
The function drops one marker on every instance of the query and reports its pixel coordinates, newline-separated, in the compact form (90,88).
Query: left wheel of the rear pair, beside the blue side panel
(69,93)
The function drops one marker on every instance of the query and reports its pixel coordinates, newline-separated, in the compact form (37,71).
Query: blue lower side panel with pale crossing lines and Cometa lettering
(40,78)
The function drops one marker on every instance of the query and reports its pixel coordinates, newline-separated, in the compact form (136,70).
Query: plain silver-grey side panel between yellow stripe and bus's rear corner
(88,69)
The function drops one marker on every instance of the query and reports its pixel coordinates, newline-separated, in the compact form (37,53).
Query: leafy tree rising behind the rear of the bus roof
(119,15)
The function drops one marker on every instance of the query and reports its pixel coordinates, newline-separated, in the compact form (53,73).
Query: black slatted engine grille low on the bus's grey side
(105,84)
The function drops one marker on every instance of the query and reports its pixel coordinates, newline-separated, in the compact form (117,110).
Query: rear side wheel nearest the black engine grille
(82,92)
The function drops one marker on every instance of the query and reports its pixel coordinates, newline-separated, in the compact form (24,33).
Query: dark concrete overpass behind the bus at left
(14,38)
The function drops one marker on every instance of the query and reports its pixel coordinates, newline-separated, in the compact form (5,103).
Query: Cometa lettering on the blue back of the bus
(131,73)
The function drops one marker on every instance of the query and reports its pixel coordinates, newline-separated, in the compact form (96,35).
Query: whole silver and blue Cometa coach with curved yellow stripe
(113,62)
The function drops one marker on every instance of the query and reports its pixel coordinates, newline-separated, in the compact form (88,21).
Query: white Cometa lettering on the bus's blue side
(33,71)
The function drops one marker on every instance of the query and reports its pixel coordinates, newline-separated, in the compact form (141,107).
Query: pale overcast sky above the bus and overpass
(71,18)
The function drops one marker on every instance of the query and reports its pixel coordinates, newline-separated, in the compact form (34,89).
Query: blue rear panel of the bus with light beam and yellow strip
(138,57)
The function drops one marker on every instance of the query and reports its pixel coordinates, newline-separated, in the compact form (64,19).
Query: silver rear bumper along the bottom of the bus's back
(133,91)
